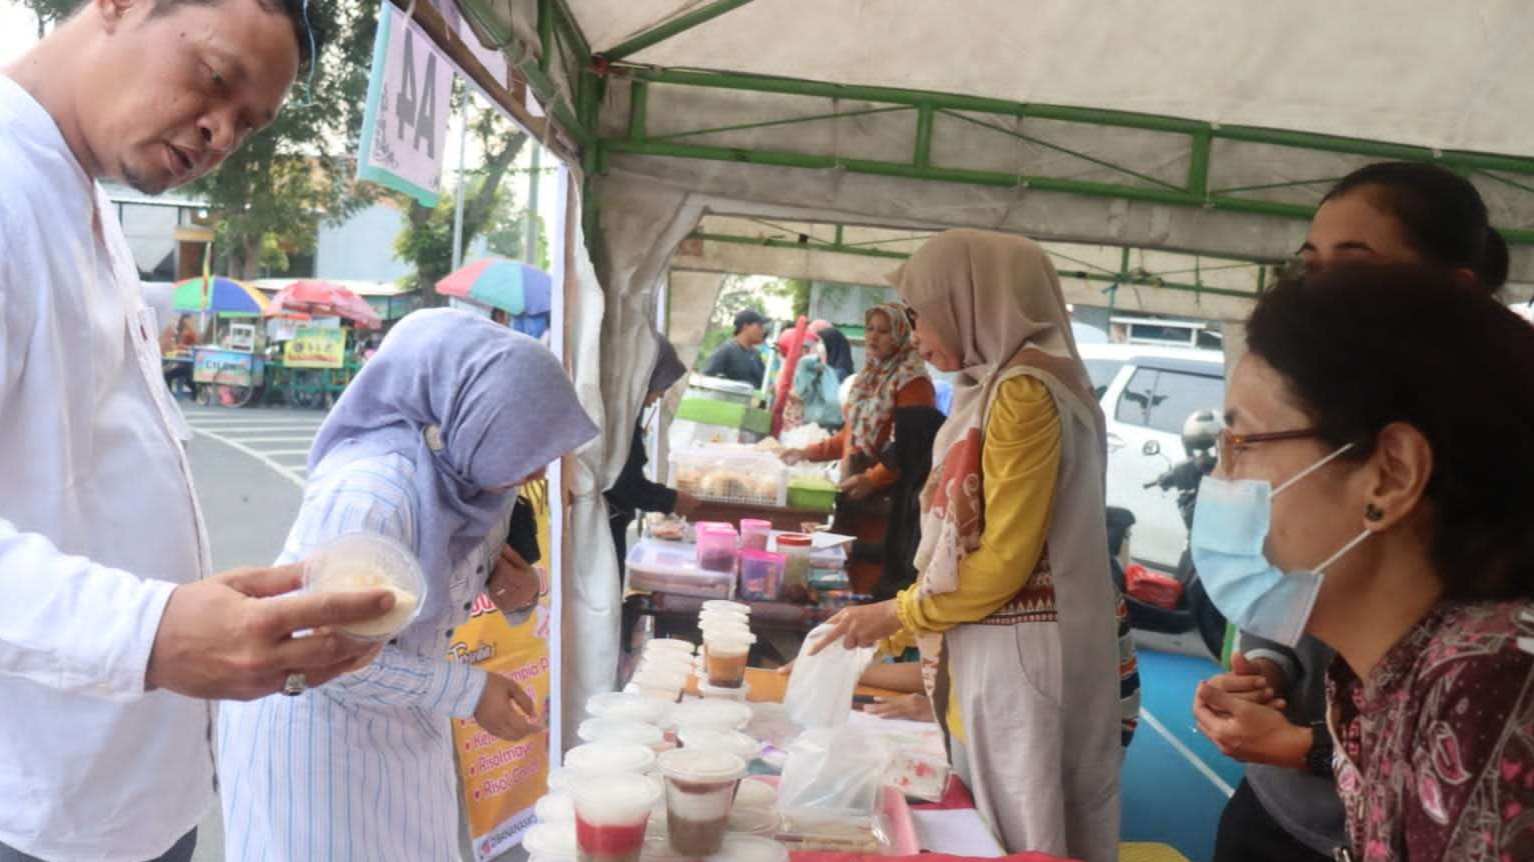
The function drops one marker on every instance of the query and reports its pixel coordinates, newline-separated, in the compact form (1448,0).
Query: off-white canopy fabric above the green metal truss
(1449,74)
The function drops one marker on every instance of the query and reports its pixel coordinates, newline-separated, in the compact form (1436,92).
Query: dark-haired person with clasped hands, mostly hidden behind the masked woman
(1286,808)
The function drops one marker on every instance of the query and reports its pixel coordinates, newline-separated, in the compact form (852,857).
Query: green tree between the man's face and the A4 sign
(269,197)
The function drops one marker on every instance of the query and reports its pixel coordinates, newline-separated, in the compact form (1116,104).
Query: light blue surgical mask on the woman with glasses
(1231,525)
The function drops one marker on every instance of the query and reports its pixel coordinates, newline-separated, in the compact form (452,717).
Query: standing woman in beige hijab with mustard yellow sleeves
(1013,610)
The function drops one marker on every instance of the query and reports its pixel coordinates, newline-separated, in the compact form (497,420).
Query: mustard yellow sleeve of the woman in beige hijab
(1021,466)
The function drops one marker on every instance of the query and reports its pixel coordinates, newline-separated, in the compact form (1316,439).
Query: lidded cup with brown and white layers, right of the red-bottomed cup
(700,789)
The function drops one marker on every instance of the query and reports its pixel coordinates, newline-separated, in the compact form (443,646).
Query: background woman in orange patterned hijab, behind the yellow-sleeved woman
(894,378)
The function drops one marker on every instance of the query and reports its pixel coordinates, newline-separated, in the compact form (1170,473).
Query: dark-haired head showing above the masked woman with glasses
(1409,212)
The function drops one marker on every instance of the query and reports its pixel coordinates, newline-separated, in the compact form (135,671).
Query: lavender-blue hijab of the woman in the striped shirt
(475,406)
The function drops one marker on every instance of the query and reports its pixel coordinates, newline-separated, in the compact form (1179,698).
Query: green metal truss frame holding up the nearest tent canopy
(559,33)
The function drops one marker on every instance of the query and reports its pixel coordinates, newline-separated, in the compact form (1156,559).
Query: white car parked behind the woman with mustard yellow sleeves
(1148,393)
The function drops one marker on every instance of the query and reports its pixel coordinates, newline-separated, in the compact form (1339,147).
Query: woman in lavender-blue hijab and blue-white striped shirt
(427,447)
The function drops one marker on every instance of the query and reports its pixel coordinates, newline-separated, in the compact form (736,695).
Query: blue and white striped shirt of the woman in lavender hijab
(363,768)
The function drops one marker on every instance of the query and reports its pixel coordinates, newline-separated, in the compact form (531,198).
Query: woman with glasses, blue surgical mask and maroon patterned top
(1374,495)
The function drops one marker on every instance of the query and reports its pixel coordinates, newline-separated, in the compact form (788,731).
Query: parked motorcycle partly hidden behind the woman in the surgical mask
(1194,611)
